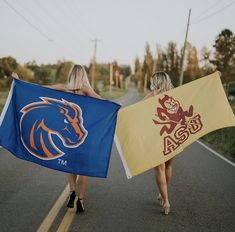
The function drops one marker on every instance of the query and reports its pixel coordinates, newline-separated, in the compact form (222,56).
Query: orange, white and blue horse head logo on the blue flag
(50,119)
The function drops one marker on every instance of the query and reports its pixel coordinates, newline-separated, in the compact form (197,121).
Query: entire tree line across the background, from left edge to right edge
(221,57)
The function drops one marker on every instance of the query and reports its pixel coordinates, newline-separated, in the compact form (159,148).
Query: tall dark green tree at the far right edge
(224,55)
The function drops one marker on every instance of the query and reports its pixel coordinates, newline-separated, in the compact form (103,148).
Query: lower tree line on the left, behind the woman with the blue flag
(46,74)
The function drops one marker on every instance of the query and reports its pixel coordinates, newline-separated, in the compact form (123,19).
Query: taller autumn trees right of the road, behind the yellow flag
(221,58)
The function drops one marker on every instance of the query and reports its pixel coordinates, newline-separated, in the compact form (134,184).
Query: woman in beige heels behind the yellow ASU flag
(161,82)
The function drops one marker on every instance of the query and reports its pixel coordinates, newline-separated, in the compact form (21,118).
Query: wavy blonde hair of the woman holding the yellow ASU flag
(161,82)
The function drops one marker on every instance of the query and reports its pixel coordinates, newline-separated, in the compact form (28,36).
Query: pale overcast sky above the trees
(48,30)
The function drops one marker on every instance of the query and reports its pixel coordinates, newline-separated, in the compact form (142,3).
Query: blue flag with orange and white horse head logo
(58,130)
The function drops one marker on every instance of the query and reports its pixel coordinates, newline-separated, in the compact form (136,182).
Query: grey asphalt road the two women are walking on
(202,195)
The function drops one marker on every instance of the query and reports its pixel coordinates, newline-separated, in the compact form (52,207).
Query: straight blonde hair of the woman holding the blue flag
(77,78)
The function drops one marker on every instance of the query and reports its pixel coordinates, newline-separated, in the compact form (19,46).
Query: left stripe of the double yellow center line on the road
(48,221)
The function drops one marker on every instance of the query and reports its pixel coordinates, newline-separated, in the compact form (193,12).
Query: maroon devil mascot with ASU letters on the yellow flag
(177,124)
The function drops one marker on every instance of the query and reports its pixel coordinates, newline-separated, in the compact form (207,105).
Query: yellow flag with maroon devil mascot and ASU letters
(154,130)
